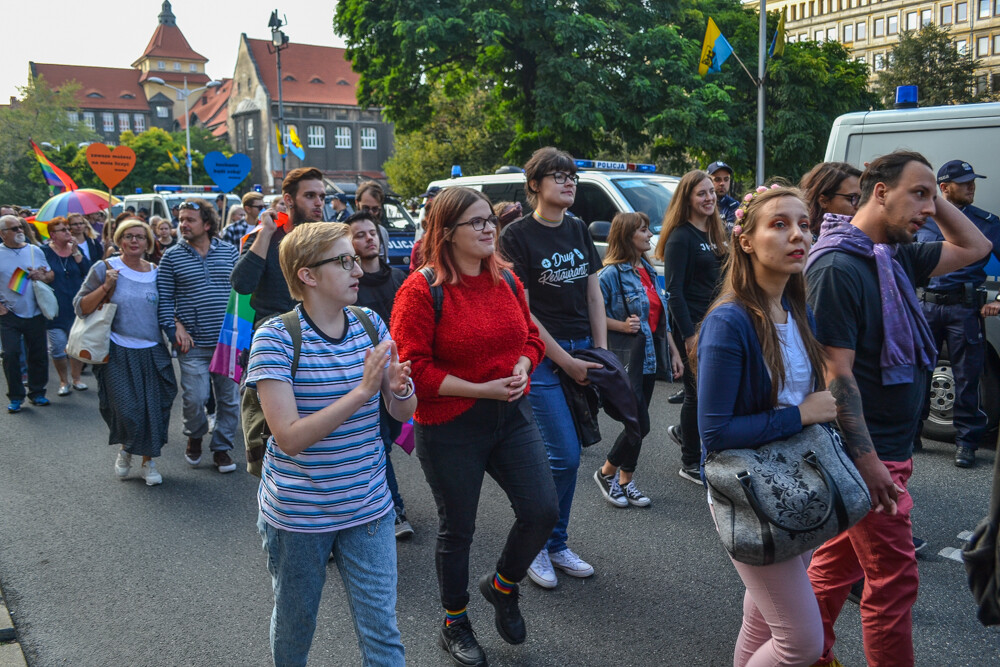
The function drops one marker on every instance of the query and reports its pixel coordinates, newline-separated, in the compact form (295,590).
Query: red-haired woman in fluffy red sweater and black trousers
(471,364)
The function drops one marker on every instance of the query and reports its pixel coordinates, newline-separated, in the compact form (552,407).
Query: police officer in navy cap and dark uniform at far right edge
(954,305)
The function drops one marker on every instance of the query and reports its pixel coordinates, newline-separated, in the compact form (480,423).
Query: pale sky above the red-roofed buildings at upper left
(114,33)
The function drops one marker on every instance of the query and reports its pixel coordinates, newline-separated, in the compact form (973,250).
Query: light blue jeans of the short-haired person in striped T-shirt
(366,558)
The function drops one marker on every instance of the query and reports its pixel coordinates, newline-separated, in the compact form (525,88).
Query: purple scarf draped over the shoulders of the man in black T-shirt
(907,341)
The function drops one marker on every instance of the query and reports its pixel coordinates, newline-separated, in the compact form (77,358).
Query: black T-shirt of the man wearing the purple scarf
(844,295)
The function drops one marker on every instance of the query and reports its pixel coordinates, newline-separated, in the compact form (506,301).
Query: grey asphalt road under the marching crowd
(102,572)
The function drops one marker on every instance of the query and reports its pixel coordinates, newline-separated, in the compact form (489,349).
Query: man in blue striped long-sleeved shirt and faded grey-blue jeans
(193,283)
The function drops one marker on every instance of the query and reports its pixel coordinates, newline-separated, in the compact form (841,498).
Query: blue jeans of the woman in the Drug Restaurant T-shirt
(555,423)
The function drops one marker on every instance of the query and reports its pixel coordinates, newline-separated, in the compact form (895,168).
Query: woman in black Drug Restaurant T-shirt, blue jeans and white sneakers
(554,257)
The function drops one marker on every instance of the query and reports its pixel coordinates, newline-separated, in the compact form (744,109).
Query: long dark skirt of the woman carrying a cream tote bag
(136,389)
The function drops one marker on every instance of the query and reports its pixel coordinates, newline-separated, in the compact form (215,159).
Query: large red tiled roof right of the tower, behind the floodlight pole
(315,71)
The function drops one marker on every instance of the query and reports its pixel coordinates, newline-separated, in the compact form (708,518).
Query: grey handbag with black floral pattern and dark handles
(784,498)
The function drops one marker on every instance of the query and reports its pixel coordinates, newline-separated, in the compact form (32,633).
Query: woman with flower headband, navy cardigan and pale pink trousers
(760,379)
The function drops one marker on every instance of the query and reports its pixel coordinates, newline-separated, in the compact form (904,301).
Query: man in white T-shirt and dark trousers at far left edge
(21,321)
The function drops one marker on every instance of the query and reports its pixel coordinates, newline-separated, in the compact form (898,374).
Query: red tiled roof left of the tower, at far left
(100,87)
